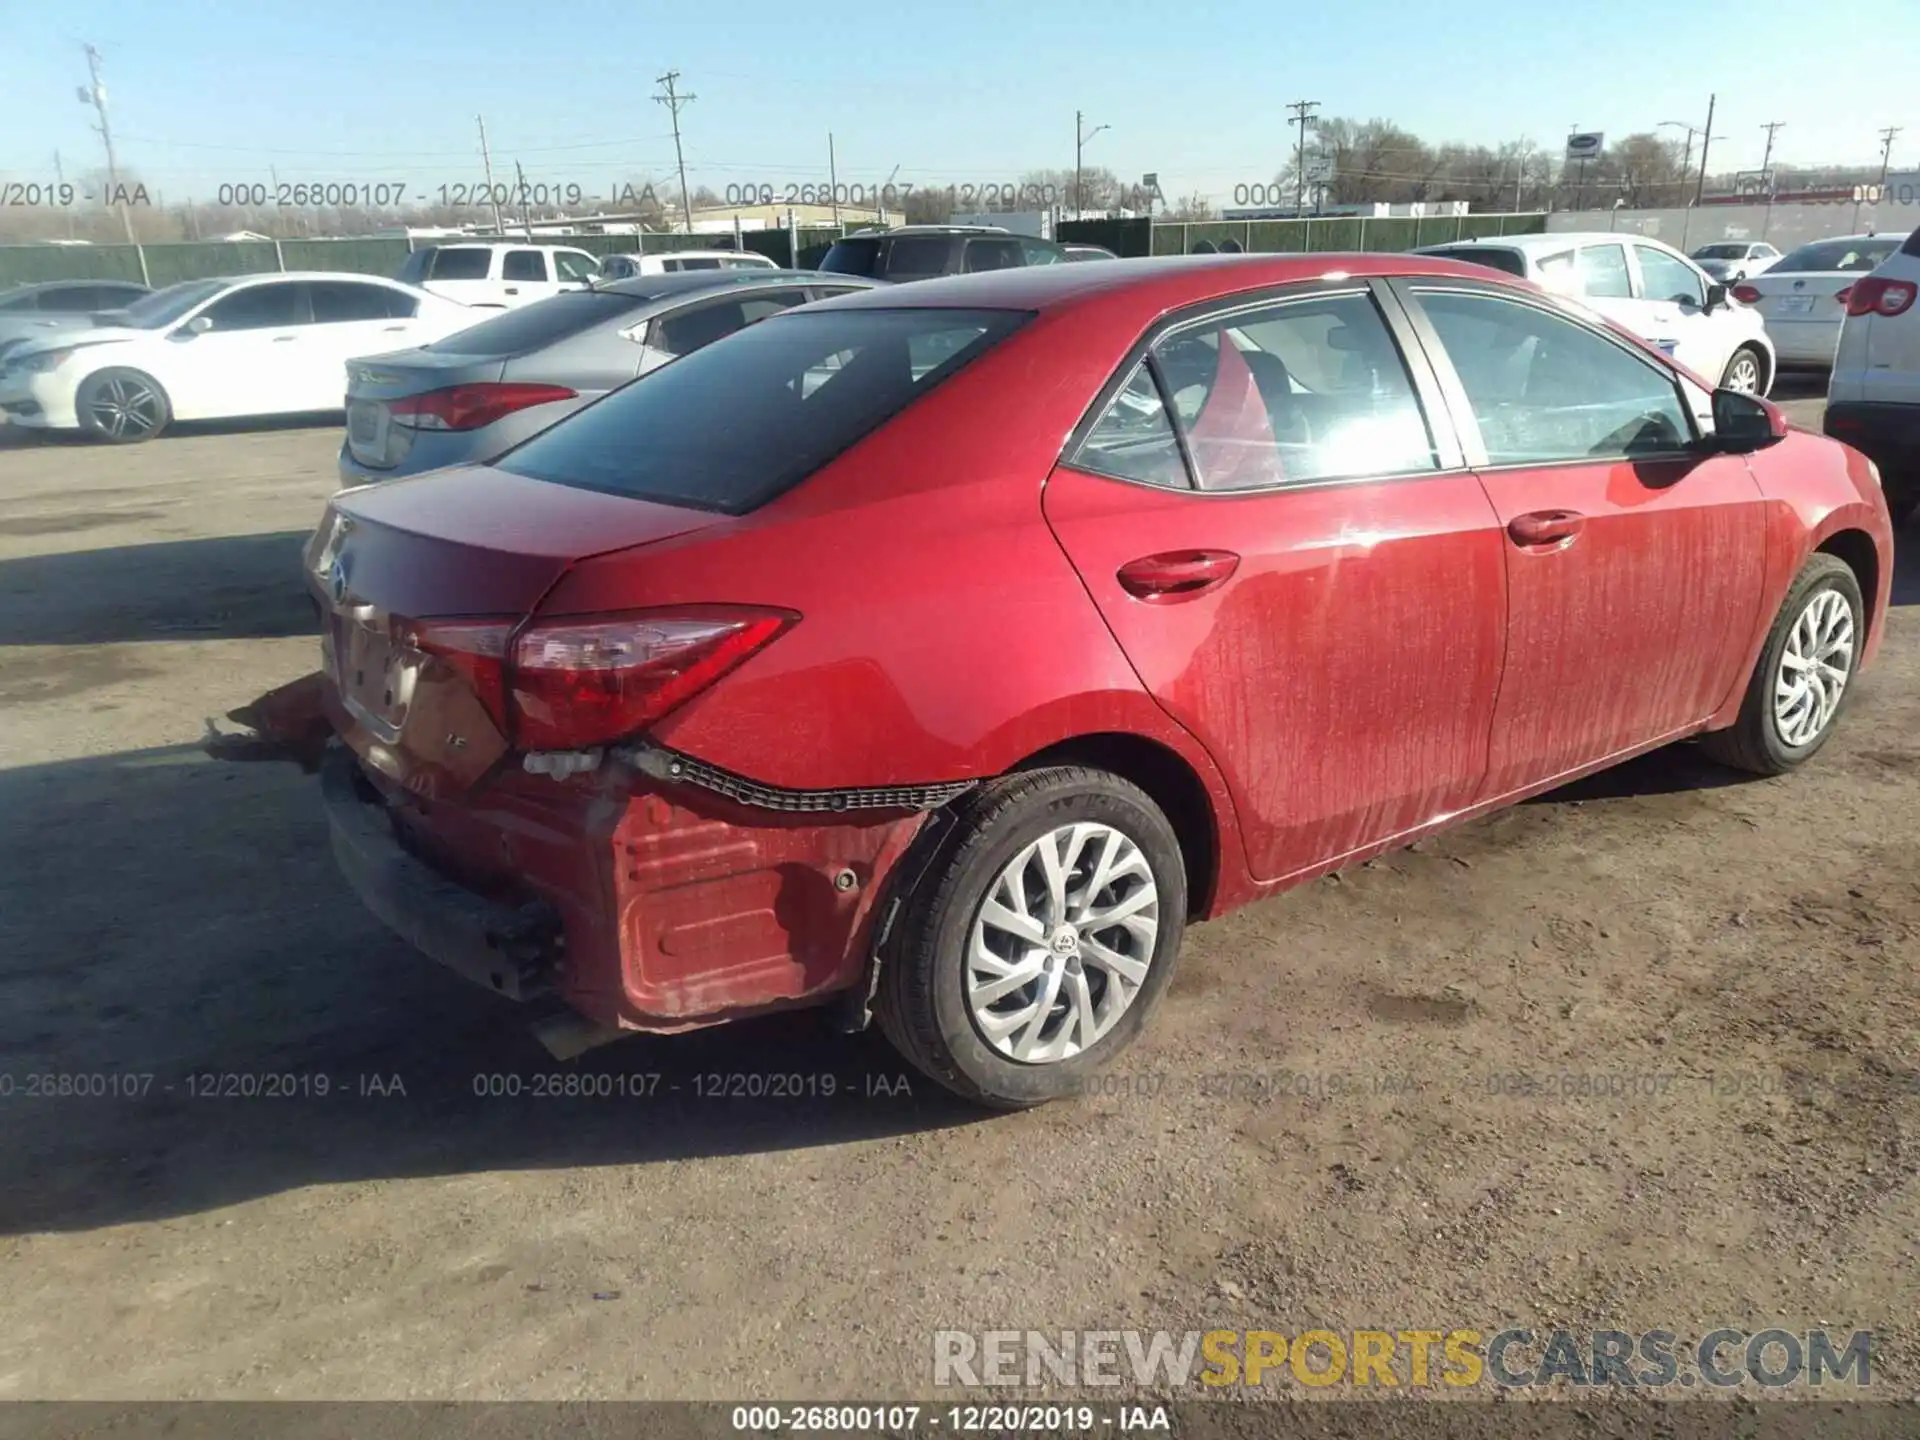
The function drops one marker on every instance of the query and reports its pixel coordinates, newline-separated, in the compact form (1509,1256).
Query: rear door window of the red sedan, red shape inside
(1305,391)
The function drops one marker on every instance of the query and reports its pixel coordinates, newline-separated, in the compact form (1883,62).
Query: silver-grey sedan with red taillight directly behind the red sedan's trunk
(483,391)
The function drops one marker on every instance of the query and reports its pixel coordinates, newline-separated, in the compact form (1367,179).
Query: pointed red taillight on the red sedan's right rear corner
(587,683)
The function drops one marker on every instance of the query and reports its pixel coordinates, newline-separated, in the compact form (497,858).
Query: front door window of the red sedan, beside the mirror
(1545,389)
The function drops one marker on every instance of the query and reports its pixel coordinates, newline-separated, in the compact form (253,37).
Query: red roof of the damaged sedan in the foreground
(1151,283)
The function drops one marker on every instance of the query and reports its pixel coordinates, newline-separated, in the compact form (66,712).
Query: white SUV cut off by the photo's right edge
(1873,398)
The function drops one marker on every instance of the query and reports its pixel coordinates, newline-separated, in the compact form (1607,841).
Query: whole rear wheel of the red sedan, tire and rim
(1040,938)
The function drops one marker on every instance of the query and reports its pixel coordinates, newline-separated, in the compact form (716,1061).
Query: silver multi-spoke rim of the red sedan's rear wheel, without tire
(1063,944)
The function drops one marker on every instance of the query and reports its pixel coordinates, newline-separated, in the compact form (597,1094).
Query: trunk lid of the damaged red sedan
(473,550)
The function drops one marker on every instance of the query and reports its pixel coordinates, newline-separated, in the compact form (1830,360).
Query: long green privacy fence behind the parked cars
(385,256)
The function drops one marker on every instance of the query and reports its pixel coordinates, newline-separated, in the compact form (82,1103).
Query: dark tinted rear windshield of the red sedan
(744,420)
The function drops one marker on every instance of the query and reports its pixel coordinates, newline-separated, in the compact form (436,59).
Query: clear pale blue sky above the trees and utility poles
(948,93)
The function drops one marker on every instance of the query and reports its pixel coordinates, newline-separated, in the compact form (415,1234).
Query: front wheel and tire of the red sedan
(1804,677)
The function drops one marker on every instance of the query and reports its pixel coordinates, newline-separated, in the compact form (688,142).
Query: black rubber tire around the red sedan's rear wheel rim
(923,1003)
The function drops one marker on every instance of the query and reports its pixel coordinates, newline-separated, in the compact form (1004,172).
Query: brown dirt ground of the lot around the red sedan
(1735,961)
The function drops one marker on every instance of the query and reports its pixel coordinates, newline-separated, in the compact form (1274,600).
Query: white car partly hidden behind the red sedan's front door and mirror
(1644,287)
